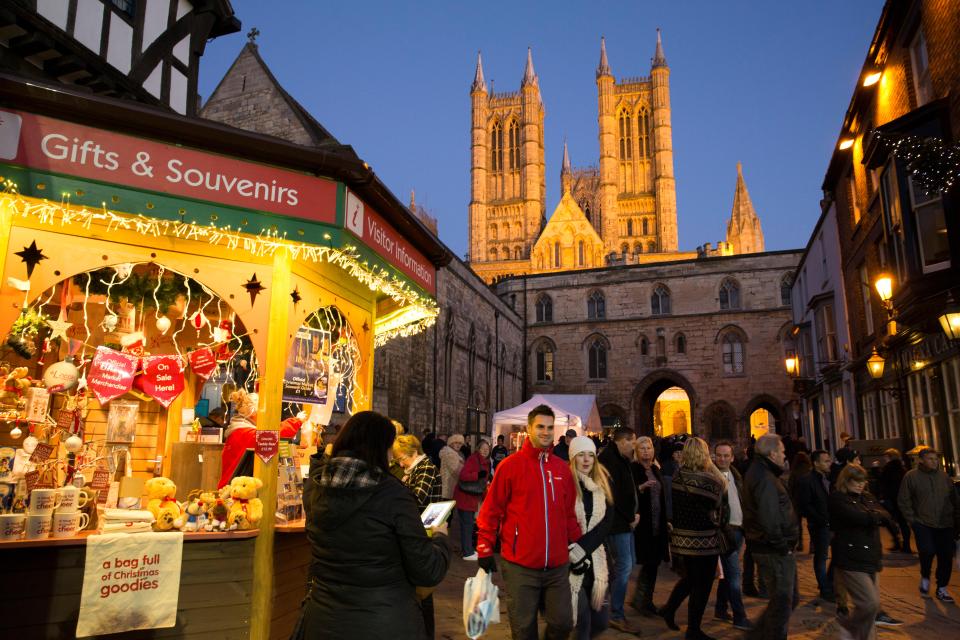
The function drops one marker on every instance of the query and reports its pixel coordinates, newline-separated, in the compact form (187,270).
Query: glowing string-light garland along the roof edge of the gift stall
(264,245)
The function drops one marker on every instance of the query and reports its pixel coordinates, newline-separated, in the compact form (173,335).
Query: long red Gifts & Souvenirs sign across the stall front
(64,147)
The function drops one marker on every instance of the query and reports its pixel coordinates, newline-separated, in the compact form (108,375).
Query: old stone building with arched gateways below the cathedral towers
(681,346)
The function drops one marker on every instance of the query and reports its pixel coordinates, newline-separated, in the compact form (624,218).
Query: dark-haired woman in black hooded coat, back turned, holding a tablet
(369,548)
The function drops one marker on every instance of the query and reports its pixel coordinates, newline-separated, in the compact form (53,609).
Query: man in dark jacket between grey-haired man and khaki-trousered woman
(813,493)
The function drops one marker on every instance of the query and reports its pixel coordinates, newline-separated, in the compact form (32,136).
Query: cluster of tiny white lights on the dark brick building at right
(933,165)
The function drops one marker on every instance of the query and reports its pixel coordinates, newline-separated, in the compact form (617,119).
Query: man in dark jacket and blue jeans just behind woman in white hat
(616,458)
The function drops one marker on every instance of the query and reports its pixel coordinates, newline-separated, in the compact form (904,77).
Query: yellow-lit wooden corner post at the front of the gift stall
(268,418)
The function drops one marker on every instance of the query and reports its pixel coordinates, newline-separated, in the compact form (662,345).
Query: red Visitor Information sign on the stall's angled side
(380,236)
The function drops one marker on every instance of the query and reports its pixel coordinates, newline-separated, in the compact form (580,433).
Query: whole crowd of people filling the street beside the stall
(571,517)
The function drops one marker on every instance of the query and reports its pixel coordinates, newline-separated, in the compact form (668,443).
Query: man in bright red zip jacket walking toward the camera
(531,504)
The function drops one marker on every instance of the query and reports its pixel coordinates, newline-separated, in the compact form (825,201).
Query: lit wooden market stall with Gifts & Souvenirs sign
(205,258)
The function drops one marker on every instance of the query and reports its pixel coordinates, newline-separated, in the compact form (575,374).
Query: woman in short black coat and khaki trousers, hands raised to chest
(855,518)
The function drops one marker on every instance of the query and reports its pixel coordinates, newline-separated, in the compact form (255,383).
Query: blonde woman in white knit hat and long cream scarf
(588,558)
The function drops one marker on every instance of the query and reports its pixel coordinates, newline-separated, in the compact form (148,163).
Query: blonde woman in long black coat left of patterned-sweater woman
(650,536)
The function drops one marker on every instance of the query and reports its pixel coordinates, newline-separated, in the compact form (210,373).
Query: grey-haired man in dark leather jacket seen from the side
(770,527)
